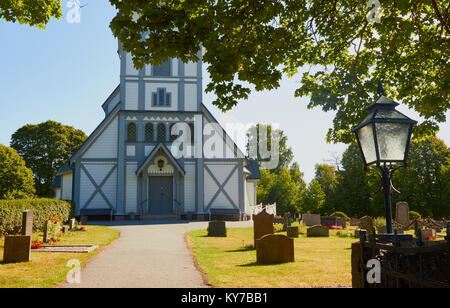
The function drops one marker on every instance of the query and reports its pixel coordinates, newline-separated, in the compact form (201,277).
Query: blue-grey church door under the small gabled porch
(160,195)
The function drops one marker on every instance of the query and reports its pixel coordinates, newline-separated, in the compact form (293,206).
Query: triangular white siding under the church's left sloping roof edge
(105,146)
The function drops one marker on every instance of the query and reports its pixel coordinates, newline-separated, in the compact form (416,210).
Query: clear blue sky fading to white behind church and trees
(67,71)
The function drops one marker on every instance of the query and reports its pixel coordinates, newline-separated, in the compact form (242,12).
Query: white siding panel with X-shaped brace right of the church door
(221,172)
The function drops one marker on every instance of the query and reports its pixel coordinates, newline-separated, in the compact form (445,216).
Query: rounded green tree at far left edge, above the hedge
(16,180)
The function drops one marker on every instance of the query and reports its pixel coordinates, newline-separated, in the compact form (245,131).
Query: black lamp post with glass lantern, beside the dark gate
(383,138)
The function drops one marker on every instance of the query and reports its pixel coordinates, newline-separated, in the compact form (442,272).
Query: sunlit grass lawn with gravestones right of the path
(229,262)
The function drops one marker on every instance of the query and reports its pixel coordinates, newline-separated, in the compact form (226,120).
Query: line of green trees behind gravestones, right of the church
(347,187)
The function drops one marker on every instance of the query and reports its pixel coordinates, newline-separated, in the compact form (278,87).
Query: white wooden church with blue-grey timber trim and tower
(127,165)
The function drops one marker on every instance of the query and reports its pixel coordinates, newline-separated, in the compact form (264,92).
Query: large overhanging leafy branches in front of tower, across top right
(256,42)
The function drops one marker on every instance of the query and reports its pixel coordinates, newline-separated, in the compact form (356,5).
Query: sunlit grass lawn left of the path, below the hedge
(46,269)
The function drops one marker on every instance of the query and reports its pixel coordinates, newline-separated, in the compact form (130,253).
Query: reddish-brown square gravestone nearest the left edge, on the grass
(17,248)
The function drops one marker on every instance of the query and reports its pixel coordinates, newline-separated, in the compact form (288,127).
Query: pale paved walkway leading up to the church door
(150,254)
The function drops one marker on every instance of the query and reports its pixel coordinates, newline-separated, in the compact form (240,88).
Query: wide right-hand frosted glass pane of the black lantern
(392,140)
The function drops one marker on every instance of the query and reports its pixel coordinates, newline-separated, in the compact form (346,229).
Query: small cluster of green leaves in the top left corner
(32,12)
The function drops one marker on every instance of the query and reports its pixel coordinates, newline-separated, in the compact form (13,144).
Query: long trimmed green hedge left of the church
(11,213)
